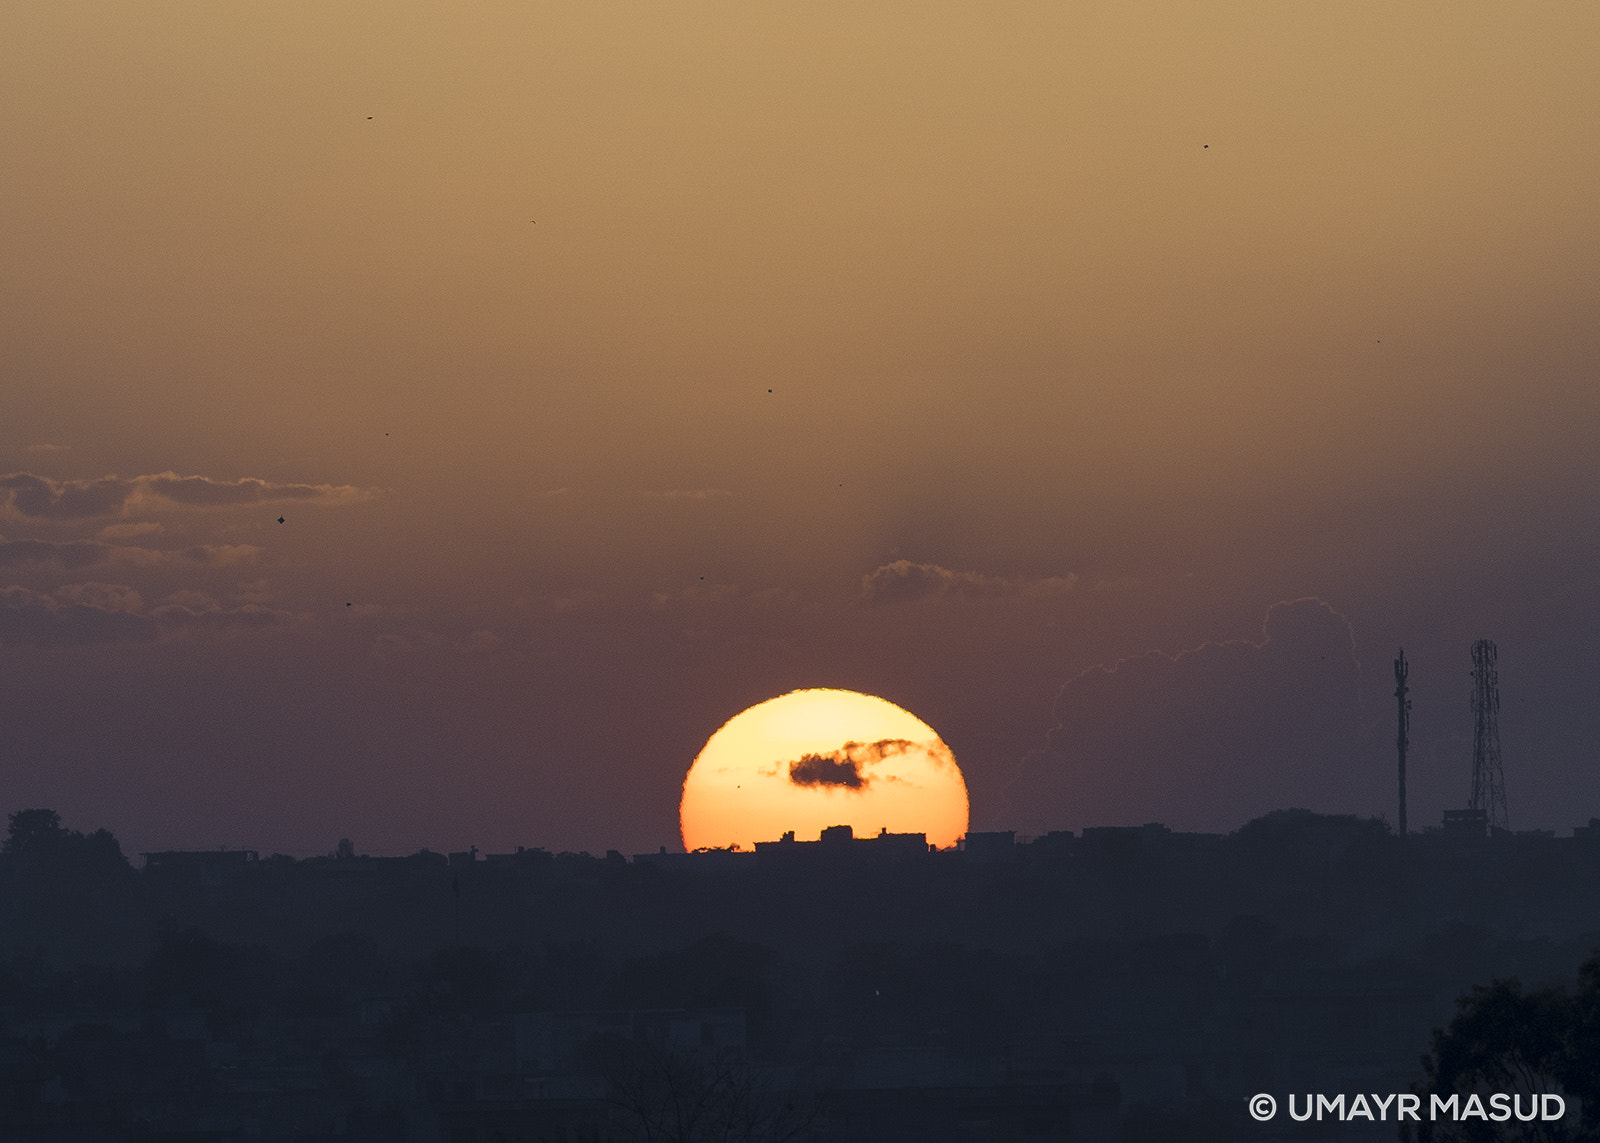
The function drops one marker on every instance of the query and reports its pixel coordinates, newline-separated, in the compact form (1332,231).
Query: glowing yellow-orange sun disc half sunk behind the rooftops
(823,758)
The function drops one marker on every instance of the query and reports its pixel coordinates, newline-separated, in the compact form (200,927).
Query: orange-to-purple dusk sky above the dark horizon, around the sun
(618,367)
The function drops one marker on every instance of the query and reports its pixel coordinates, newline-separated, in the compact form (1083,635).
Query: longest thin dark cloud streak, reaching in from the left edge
(41,499)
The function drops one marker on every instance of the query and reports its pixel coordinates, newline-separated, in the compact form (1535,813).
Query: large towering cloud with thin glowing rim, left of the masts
(1210,737)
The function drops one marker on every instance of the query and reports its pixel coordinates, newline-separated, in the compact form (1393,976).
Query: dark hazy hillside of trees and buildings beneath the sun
(1129,984)
